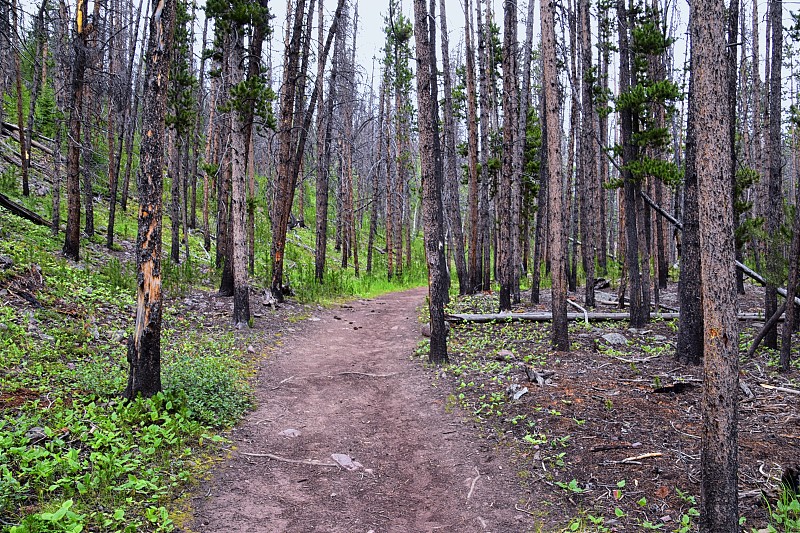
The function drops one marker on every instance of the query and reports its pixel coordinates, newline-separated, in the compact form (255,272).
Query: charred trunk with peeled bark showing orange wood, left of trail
(144,348)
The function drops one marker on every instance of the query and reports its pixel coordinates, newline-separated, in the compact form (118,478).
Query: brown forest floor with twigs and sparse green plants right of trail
(622,423)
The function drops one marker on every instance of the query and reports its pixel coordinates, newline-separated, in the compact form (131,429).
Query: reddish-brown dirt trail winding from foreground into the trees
(344,380)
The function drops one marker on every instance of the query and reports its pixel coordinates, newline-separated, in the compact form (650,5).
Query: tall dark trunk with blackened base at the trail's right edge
(432,180)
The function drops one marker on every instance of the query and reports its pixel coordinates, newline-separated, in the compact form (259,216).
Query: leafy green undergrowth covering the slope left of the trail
(73,455)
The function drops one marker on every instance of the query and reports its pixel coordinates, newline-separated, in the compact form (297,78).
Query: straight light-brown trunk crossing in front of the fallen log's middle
(556,240)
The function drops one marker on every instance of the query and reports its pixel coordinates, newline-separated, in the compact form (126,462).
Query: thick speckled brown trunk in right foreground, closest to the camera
(719,495)
